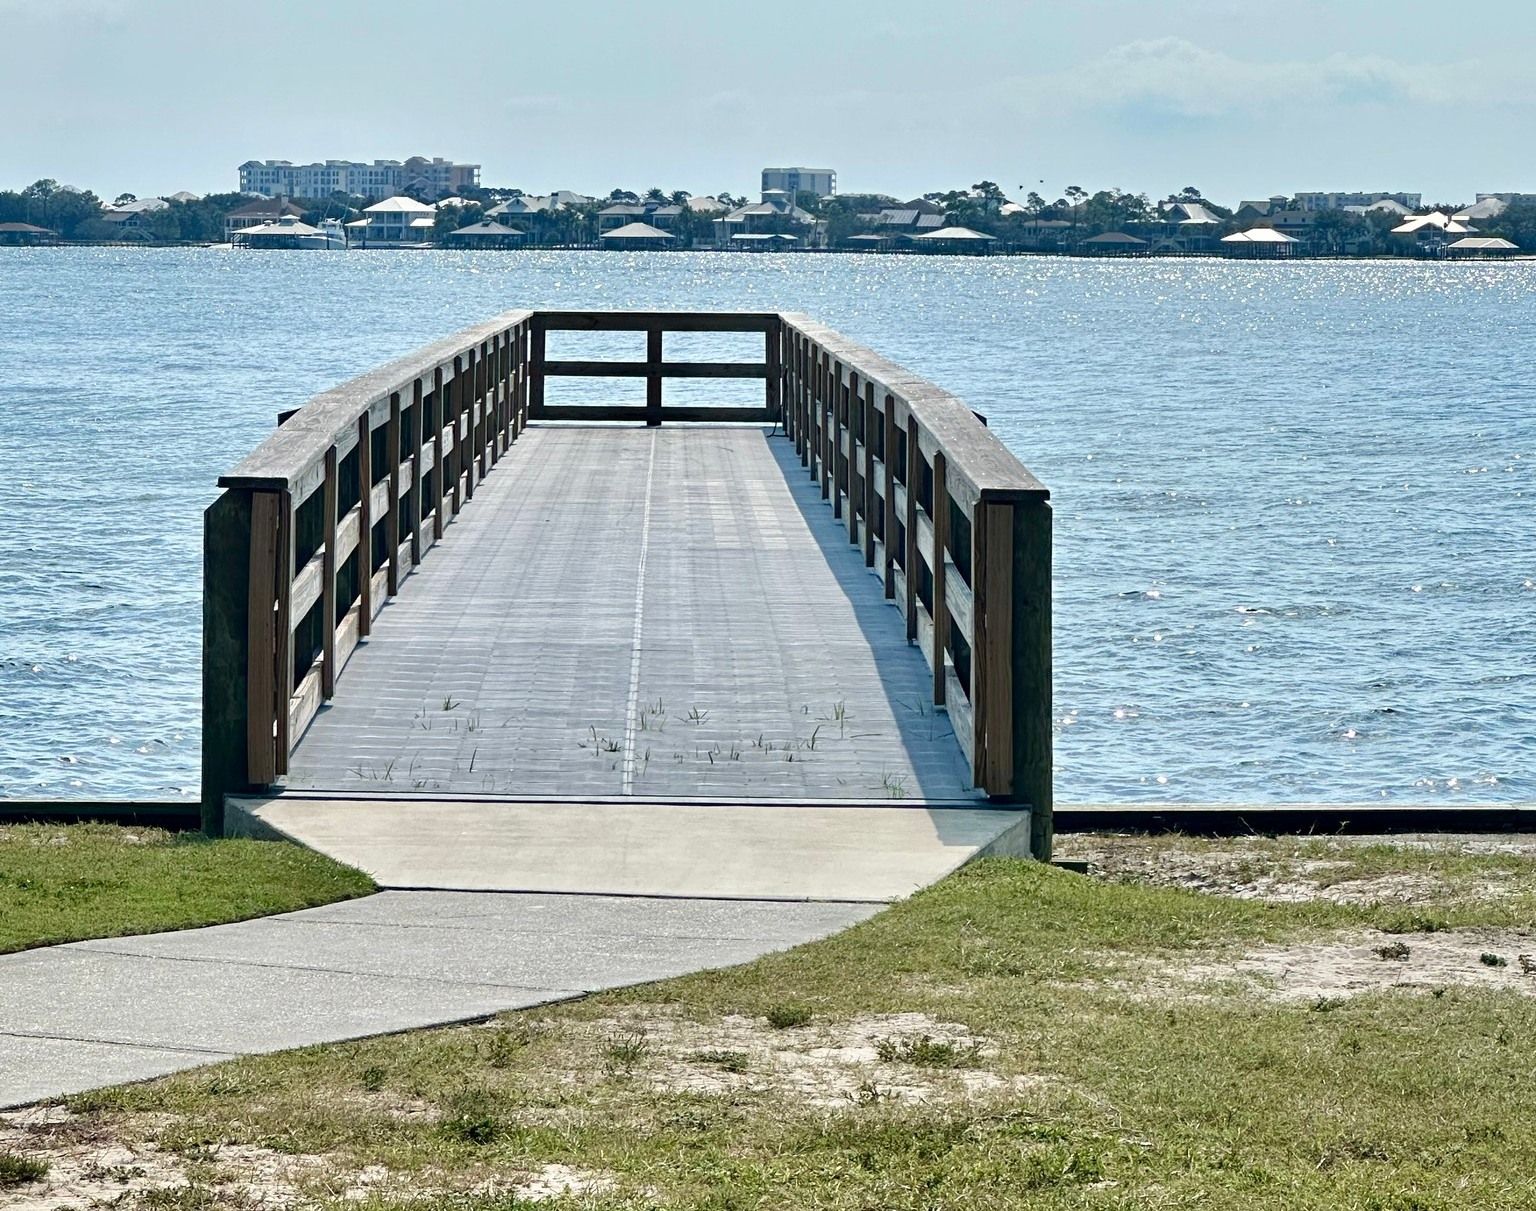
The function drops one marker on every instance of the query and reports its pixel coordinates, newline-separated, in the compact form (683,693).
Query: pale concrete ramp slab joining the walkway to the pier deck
(763,851)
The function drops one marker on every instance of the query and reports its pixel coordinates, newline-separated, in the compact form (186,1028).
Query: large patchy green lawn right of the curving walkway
(1108,1097)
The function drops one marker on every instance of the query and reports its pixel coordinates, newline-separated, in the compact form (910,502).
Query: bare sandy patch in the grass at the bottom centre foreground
(816,1064)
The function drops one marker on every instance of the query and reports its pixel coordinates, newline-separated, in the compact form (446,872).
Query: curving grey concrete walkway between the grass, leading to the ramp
(87,1015)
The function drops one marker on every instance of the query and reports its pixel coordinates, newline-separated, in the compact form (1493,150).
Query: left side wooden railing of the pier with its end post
(325,522)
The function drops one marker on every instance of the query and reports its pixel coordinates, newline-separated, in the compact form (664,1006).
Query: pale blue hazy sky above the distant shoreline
(899,98)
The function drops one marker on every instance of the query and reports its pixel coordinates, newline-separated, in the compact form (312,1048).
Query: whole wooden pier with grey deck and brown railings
(431,585)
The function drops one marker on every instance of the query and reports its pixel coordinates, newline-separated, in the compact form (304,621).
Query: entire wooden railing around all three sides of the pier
(328,519)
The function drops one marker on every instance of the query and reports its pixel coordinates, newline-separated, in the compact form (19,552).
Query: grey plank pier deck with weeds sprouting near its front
(650,612)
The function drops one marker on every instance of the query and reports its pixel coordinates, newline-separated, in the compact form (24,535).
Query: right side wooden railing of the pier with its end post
(959,534)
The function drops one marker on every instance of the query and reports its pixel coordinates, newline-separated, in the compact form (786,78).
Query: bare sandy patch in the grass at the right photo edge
(1360,963)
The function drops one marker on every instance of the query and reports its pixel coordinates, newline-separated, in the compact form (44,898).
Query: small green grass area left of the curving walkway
(68,883)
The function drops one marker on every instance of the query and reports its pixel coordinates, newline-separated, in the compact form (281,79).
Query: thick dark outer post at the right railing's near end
(1031,663)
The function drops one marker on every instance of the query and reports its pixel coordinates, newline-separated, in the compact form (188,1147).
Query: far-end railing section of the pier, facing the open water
(655,370)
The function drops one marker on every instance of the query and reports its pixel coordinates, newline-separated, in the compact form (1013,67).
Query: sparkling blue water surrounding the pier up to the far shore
(1296,503)
